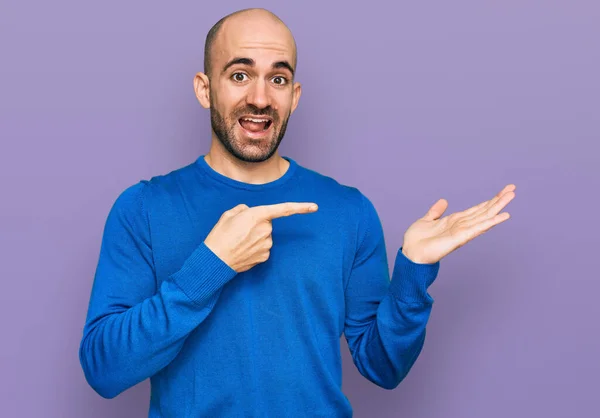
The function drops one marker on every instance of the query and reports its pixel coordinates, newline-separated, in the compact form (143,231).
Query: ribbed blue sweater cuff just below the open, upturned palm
(411,280)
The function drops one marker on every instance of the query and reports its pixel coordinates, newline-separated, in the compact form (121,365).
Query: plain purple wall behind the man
(408,102)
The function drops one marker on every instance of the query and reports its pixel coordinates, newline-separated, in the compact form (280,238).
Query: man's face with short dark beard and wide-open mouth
(252,93)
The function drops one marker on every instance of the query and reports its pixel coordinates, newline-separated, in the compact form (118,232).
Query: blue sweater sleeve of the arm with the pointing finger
(135,327)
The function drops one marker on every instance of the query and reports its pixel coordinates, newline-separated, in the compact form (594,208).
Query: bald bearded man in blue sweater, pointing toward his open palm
(224,283)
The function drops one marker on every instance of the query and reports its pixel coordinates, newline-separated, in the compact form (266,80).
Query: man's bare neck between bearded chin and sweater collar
(220,160)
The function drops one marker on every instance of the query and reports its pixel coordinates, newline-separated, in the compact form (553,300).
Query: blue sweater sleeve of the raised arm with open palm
(385,321)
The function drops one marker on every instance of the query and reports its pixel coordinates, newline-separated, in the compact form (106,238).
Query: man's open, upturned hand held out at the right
(432,237)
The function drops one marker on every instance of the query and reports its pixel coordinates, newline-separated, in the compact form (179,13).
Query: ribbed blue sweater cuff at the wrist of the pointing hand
(202,274)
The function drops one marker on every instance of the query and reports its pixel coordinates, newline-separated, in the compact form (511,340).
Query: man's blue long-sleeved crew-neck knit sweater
(262,343)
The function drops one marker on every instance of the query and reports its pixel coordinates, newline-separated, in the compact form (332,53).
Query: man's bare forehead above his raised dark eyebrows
(265,41)
